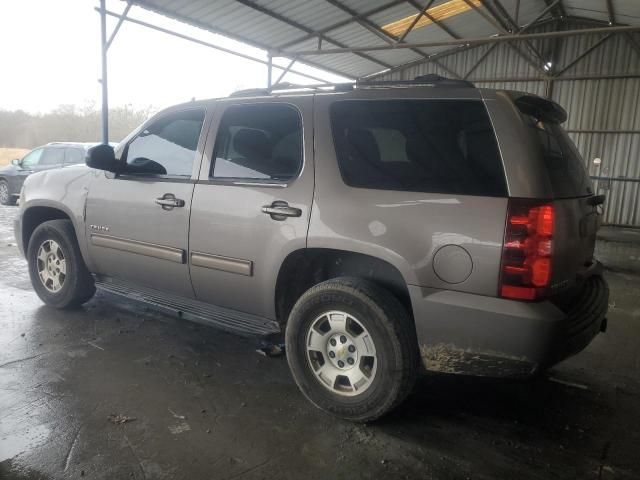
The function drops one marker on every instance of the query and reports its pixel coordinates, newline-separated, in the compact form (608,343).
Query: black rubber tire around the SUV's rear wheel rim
(388,356)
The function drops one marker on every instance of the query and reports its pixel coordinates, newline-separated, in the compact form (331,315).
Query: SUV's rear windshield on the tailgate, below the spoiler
(565,168)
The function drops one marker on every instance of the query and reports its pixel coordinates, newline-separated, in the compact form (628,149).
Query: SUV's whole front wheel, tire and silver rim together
(55,241)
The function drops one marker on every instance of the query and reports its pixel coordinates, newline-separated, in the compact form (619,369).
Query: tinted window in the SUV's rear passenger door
(261,142)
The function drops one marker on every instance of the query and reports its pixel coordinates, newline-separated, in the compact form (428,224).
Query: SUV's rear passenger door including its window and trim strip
(252,203)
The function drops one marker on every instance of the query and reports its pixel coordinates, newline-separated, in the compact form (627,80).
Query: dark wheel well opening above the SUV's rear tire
(304,268)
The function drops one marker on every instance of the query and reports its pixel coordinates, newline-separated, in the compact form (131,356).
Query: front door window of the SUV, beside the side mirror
(167,146)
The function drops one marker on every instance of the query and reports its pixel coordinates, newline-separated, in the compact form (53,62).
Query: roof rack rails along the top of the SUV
(431,80)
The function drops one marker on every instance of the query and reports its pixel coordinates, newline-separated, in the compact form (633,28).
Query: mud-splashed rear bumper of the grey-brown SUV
(475,335)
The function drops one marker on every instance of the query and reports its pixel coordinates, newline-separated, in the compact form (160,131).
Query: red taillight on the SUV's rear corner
(527,250)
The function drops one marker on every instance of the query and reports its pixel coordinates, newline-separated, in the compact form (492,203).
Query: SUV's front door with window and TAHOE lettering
(138,220)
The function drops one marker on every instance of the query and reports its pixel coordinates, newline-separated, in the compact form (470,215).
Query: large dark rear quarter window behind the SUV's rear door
(438,146)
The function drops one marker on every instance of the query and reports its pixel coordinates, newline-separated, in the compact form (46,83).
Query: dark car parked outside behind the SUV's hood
(52,155)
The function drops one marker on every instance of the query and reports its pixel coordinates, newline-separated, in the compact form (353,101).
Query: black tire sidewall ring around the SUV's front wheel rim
(64,296)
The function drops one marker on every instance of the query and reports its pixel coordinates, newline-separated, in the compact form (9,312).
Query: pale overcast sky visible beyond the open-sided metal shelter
(50,56)
